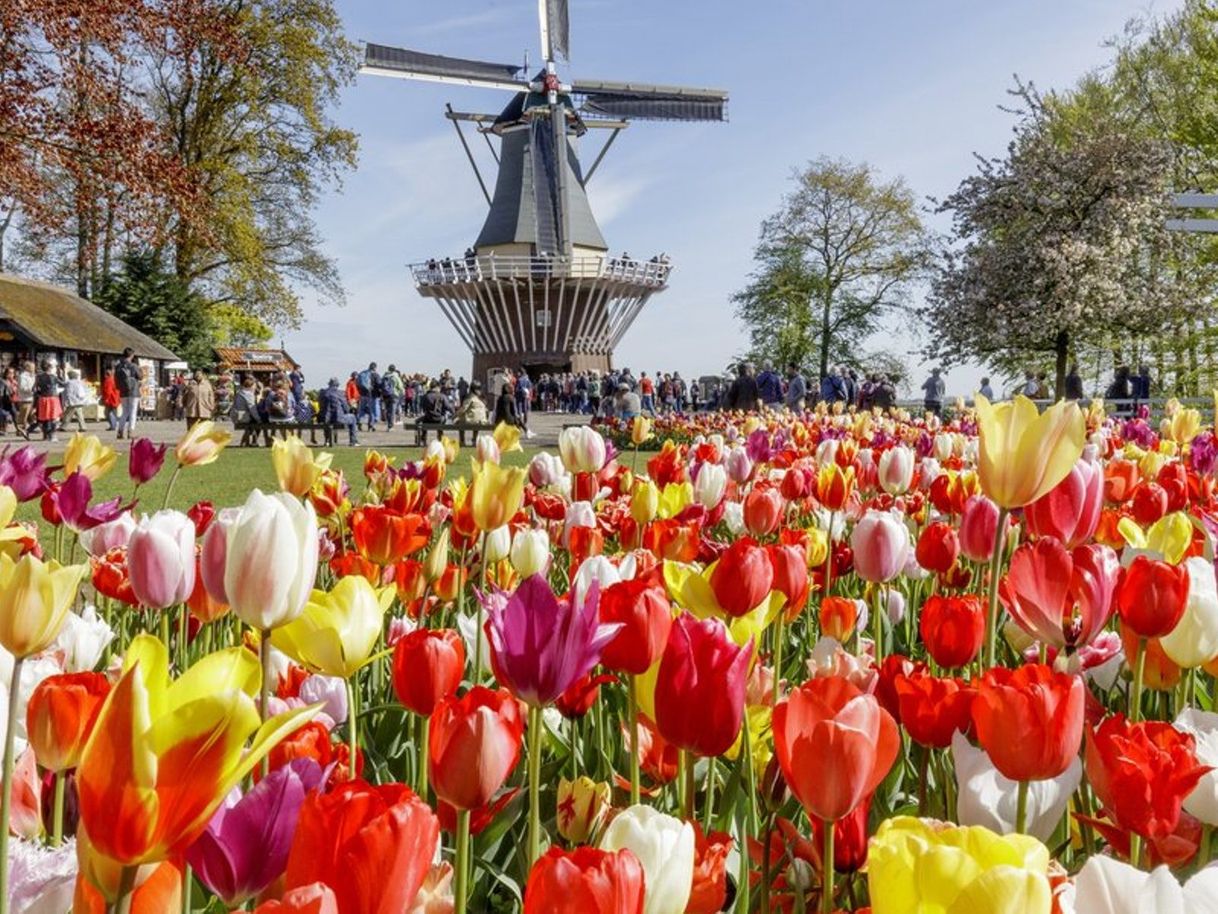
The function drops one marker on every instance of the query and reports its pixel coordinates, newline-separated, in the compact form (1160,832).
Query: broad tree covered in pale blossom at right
(1061,244)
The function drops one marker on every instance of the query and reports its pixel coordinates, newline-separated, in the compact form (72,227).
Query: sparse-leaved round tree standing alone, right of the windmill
(842,253)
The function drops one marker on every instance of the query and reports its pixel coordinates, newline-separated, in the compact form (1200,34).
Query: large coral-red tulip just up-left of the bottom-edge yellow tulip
(835,745)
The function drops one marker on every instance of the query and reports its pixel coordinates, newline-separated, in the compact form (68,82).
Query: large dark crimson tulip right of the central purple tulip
(700,690)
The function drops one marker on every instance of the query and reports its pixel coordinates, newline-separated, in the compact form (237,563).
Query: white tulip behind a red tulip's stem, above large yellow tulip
(986,798)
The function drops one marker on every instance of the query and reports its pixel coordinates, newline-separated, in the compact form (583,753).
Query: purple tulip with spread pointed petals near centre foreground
(540,645)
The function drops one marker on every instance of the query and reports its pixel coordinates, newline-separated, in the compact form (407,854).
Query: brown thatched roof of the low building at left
(55,319)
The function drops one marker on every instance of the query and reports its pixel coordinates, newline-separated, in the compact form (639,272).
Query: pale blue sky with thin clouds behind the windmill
(912,88)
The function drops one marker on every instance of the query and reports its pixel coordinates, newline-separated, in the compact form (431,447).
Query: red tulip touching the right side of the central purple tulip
(642,608)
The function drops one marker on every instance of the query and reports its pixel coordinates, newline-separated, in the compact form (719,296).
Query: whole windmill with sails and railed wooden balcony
(539,289)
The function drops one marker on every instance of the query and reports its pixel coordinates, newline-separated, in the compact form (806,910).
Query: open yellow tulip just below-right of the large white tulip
(339,629)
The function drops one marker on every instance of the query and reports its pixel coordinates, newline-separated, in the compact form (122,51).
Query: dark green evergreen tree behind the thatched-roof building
(157,302)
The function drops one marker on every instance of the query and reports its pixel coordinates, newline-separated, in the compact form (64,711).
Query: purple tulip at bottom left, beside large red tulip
(245,846)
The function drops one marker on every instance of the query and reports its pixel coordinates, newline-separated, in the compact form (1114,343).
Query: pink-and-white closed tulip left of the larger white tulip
(161,560)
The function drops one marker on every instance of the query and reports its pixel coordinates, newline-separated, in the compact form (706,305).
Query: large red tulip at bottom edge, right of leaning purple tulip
(371,845)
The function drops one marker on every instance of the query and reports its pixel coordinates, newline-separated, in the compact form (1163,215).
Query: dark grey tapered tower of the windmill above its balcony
(524,208)
